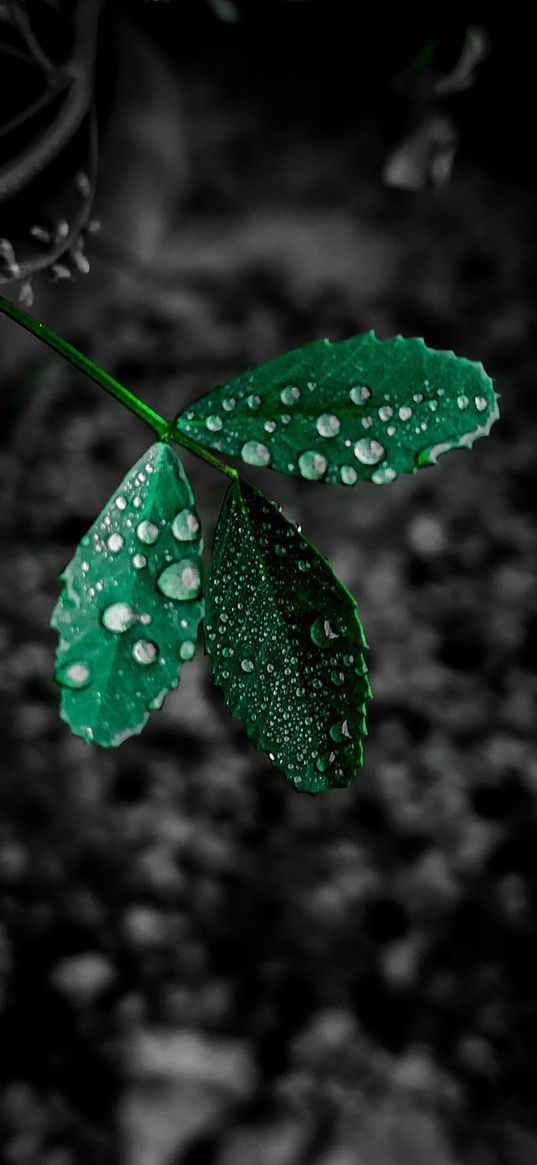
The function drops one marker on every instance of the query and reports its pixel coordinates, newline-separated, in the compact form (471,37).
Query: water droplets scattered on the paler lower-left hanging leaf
(180,582)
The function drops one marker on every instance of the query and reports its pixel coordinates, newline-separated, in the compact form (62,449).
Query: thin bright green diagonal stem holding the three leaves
(166,430)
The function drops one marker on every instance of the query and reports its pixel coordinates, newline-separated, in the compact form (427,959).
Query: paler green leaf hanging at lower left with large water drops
(130,611)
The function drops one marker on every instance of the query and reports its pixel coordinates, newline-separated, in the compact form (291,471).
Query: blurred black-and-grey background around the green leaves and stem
(200,966)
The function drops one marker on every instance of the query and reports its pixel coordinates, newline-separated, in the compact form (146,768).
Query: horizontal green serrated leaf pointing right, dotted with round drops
(363,409)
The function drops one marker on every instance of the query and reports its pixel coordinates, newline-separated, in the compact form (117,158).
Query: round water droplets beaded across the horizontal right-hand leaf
(313,464)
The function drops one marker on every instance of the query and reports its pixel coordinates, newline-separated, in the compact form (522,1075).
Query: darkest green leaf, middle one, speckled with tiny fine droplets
(286,642)
